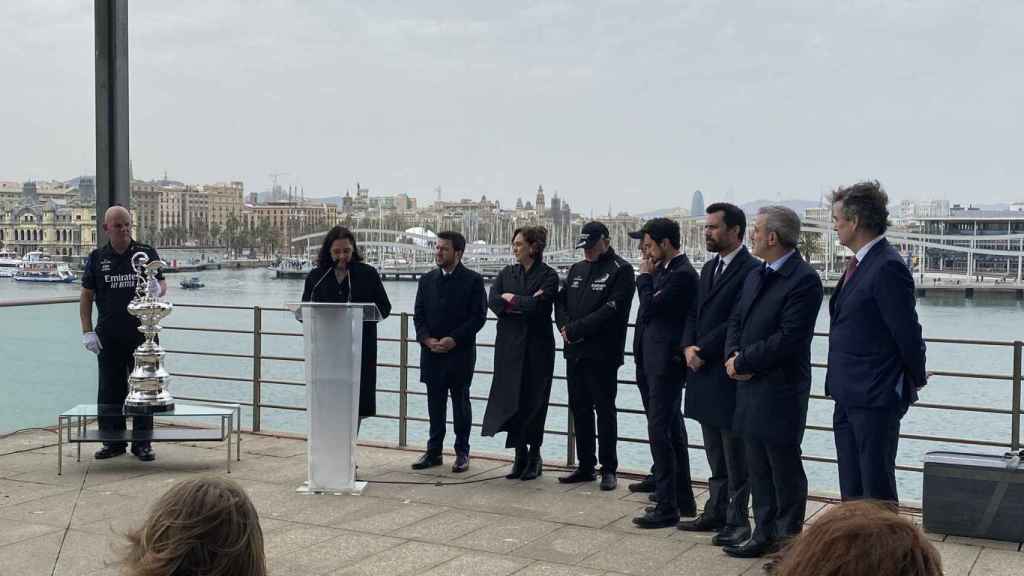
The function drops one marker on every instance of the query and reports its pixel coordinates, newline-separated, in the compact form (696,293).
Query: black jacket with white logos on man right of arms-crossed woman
(593,306)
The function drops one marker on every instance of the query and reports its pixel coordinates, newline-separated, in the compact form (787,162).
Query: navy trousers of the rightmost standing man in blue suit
(867,441)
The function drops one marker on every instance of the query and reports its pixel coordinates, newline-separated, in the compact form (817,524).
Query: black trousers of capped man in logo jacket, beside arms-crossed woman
(593,387)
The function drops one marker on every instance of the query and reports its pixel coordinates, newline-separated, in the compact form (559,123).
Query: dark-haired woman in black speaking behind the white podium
(343,277)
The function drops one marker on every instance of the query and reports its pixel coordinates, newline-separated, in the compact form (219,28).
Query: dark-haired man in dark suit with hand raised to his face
(667,286)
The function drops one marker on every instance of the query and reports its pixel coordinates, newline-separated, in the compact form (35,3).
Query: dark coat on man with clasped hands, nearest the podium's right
(450,307)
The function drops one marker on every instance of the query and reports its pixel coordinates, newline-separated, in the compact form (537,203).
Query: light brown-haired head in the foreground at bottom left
(205,527)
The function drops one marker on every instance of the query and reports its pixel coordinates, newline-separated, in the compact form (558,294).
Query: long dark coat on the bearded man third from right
(711,394)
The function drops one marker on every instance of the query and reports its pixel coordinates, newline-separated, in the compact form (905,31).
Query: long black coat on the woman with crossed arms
(525,348)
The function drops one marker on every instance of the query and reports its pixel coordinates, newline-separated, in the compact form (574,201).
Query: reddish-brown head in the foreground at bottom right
(861,539)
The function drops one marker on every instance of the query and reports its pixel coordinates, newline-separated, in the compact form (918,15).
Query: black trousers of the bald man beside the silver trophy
(116,362)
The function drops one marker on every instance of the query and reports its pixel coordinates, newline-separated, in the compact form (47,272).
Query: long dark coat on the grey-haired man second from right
(772,330)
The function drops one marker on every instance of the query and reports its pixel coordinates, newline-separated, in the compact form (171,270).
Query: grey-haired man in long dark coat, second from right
(769,347)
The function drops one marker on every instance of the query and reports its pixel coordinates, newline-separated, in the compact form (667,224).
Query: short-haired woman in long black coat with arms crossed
(525,352)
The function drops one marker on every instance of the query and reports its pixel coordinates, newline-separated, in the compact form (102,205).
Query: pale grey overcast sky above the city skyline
(633,105)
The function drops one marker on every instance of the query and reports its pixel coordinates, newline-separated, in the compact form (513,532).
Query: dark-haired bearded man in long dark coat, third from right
(711,394)
